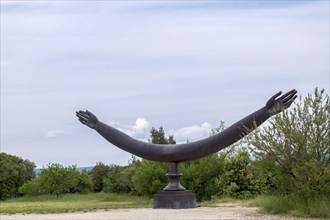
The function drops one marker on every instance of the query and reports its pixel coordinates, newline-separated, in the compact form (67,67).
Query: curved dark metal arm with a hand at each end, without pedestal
(194,150)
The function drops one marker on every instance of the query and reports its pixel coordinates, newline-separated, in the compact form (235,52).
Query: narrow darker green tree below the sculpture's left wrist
(99,171)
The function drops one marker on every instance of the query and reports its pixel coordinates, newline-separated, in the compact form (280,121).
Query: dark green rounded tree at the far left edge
(14,171)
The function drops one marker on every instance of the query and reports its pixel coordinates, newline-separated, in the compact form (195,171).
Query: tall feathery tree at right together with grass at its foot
(292,156)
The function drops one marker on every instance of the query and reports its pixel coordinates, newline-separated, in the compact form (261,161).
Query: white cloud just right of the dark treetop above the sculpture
(192,133)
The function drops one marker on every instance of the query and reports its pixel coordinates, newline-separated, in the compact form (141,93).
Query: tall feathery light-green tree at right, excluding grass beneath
(294,149)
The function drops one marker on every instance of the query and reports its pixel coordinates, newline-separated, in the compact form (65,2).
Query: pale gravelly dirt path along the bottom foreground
(223,211)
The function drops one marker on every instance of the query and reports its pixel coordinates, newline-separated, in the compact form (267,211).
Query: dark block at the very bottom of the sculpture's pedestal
(184,199)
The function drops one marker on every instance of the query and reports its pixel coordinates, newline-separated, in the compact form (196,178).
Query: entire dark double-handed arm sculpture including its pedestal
(185,152)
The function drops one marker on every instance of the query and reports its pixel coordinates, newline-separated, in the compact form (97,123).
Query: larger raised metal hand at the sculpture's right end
(276,105)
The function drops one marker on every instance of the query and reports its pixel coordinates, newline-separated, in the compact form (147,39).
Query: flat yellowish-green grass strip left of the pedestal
(73,203)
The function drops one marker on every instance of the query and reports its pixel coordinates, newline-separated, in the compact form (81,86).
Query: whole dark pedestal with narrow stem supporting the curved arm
(174,195)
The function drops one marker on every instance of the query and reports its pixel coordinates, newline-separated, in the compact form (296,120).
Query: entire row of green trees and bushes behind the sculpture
(288,155)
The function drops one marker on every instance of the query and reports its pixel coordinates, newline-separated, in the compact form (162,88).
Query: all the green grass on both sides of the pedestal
(293,205)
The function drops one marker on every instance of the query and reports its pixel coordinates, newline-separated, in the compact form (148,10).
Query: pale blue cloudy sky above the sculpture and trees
(182,65)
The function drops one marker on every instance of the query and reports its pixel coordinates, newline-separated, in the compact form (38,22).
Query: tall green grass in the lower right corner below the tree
(317,206)
